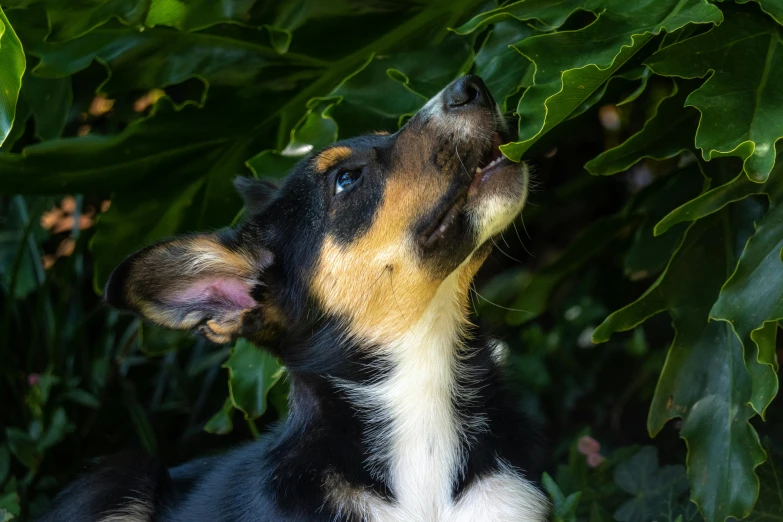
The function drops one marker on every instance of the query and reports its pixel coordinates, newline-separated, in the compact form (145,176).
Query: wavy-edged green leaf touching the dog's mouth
(572,65)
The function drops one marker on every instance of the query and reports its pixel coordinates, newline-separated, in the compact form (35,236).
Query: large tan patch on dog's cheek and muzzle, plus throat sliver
(377,282)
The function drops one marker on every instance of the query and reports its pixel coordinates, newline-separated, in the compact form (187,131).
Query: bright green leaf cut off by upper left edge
(12,66)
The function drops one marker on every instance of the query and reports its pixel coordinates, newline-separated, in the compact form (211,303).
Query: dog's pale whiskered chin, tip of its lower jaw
(496,198)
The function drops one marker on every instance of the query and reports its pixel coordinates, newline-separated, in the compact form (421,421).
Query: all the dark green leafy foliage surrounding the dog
(655,231)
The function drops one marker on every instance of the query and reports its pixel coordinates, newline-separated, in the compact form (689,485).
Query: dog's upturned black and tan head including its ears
(363,233)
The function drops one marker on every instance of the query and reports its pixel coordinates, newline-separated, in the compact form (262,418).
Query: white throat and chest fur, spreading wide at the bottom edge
(416,435)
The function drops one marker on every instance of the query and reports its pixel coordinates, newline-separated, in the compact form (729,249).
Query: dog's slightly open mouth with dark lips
(490,163)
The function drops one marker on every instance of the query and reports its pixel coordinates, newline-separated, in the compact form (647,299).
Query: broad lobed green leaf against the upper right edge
(741,103)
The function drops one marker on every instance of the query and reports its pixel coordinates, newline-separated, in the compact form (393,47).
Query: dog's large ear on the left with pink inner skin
(201,282)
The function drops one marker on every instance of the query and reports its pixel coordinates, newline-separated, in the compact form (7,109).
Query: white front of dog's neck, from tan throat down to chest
(413,428)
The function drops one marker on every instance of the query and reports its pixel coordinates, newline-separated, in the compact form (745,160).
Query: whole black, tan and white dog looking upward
(355,273)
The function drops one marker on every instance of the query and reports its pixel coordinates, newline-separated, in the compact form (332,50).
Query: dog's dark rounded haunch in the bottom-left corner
(128,487)
